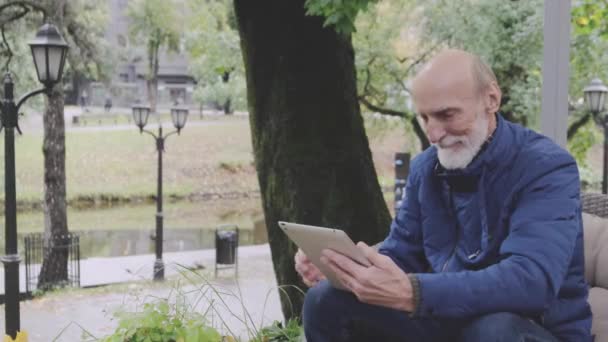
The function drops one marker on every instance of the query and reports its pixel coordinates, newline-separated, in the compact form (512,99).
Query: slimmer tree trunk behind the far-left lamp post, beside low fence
(54,267)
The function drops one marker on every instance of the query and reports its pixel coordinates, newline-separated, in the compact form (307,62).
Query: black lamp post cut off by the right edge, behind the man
(595,97)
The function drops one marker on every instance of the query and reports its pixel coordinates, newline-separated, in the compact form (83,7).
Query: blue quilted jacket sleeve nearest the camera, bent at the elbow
(534,257)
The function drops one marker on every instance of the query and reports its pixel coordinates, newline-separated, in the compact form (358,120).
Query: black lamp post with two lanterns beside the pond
(140,117)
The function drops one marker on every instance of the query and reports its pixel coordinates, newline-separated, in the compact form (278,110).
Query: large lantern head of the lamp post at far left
(49,51)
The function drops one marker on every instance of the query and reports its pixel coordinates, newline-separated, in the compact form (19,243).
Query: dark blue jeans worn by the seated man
(335,315)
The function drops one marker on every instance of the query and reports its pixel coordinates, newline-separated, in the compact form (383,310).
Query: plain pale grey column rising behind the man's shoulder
(556,70)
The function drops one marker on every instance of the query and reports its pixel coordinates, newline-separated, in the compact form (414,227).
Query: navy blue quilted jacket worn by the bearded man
(520,248)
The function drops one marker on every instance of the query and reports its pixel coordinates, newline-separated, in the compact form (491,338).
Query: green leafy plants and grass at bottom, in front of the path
(191,314)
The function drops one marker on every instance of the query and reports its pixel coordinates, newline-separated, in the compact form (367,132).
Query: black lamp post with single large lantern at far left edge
(49,51)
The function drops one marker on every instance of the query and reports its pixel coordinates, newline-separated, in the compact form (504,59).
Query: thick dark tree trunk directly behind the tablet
(312,156)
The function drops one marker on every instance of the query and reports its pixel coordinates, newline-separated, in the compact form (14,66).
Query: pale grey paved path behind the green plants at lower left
(251,297)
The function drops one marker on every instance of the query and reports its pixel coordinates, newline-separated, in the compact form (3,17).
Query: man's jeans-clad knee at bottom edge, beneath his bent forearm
(501,326)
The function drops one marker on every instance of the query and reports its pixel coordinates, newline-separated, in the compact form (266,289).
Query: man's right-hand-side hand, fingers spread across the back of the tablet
(383,283)
